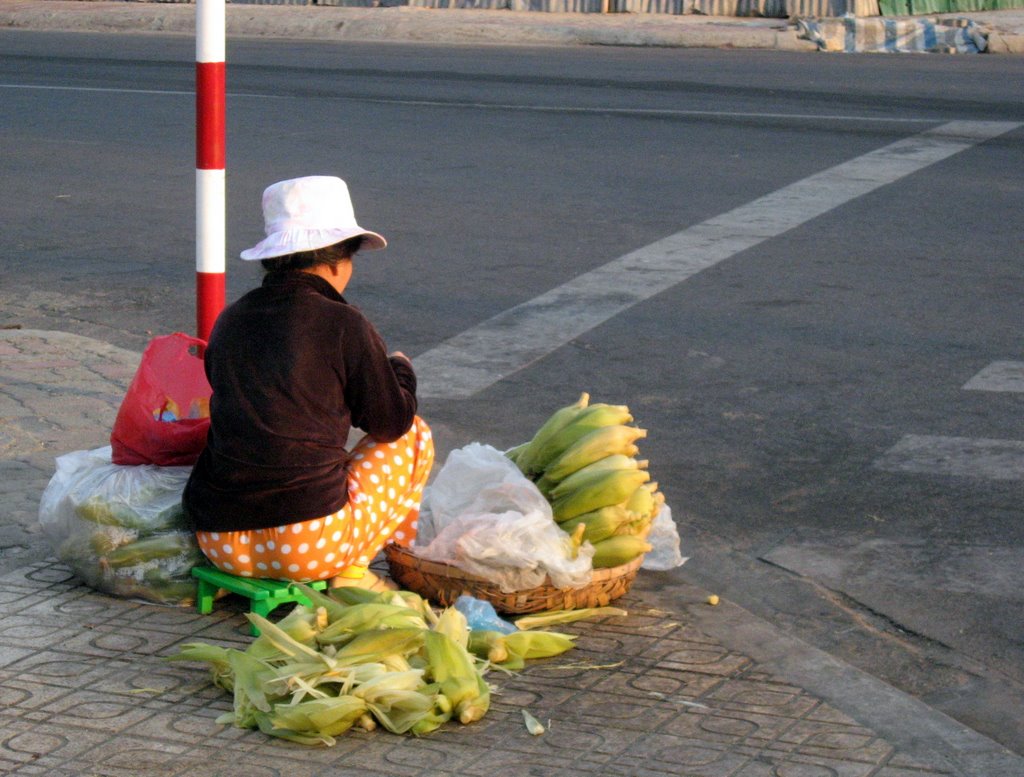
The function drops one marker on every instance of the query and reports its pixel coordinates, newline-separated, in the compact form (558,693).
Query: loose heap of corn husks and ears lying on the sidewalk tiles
(362,659)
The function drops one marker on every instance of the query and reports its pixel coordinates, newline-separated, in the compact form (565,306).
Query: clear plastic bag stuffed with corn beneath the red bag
(122,529)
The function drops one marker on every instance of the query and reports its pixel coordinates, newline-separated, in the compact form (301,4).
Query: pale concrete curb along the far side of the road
(413,25)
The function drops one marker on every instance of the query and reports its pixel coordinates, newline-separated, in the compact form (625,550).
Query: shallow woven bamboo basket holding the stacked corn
(443,584)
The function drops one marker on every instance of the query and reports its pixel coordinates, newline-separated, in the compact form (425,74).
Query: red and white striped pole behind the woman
(210,142)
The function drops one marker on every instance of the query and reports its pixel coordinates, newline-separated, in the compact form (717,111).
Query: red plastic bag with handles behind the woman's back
(165,415)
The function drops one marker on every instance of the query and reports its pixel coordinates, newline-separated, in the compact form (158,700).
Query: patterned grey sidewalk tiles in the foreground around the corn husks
(84,692)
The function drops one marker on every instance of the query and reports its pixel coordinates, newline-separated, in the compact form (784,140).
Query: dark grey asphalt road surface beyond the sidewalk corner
(784,382)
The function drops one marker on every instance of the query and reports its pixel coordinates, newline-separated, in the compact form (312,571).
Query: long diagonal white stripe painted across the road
(479,358)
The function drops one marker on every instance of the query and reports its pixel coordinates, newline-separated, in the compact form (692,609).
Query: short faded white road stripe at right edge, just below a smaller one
(966,457)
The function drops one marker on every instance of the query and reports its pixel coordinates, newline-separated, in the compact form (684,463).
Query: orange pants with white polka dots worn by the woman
(386,486)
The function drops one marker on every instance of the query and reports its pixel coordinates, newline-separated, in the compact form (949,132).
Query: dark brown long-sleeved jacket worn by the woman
(293,368)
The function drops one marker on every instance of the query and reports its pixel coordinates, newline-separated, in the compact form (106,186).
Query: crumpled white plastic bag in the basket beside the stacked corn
(487,519)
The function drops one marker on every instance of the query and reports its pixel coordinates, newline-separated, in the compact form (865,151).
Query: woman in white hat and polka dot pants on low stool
(294,368)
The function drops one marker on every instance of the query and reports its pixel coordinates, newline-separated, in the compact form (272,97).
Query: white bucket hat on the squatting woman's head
(303,214)
